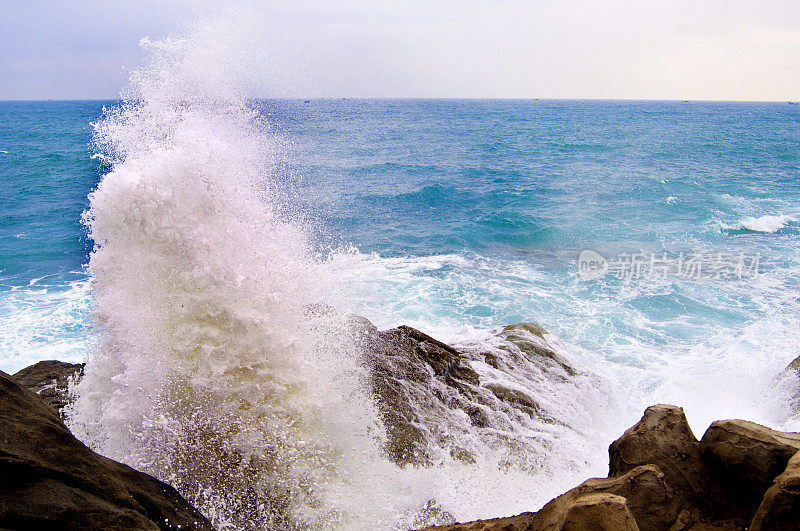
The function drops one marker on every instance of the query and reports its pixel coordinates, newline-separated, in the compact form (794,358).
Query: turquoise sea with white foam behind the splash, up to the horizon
(460,216)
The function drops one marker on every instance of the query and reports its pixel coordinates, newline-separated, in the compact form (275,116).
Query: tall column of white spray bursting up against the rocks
(210,372)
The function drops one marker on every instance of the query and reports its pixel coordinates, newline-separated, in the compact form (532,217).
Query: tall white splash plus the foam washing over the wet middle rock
(220,369)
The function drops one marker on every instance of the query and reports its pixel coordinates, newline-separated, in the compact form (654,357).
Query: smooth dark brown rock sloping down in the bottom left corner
(49,479)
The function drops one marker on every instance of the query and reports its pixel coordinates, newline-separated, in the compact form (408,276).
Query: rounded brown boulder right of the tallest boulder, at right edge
(746,457)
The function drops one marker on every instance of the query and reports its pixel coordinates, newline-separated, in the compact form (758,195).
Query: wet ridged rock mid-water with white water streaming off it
(432,396)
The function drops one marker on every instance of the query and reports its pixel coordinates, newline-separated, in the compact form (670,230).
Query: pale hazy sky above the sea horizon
(611,49)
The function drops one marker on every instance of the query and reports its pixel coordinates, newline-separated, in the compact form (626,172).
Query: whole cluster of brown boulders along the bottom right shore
(739,475)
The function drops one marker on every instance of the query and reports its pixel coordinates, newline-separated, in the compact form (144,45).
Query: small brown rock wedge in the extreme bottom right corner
(780,508)
